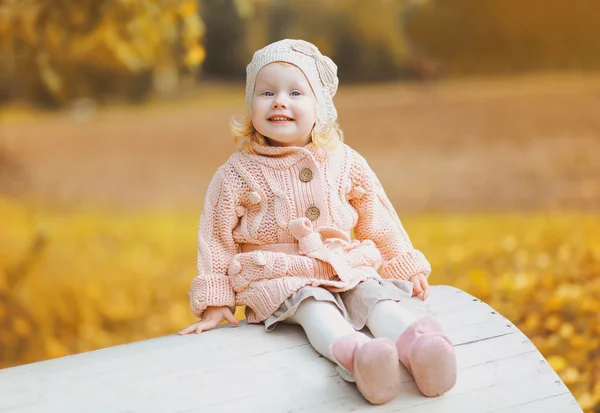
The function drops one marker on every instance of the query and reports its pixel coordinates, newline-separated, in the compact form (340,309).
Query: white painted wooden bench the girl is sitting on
(245,369)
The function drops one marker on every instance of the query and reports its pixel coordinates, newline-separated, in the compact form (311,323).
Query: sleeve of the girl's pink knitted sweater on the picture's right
(379,222)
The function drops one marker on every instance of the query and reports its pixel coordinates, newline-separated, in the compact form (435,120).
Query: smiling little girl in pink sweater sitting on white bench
(275,236)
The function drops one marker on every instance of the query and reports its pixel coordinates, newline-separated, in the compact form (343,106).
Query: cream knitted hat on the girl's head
(320,71)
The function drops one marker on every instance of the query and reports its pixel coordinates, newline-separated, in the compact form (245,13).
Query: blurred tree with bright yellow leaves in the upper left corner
(57,51)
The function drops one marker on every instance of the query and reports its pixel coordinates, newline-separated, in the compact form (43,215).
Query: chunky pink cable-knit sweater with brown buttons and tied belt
(276,221)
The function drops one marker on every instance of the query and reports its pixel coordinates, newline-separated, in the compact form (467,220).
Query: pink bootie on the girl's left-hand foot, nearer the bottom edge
(373,363)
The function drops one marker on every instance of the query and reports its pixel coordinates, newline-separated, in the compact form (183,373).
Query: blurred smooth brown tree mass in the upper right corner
(500,36)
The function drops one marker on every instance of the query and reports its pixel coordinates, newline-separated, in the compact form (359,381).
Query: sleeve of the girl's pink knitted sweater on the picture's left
(216,248)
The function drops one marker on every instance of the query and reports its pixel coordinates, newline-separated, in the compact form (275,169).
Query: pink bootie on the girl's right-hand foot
(428,354)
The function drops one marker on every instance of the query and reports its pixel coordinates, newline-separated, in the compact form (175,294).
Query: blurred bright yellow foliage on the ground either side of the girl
(81,280)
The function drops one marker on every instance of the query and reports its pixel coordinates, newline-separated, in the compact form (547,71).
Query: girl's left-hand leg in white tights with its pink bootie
(373,363)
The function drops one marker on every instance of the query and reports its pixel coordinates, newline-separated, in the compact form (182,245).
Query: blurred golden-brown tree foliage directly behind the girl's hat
(365,39)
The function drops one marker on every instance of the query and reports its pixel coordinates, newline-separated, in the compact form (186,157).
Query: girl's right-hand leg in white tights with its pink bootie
(422,346)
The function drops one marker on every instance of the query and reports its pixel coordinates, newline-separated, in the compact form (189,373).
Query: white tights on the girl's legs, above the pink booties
(324,323)
